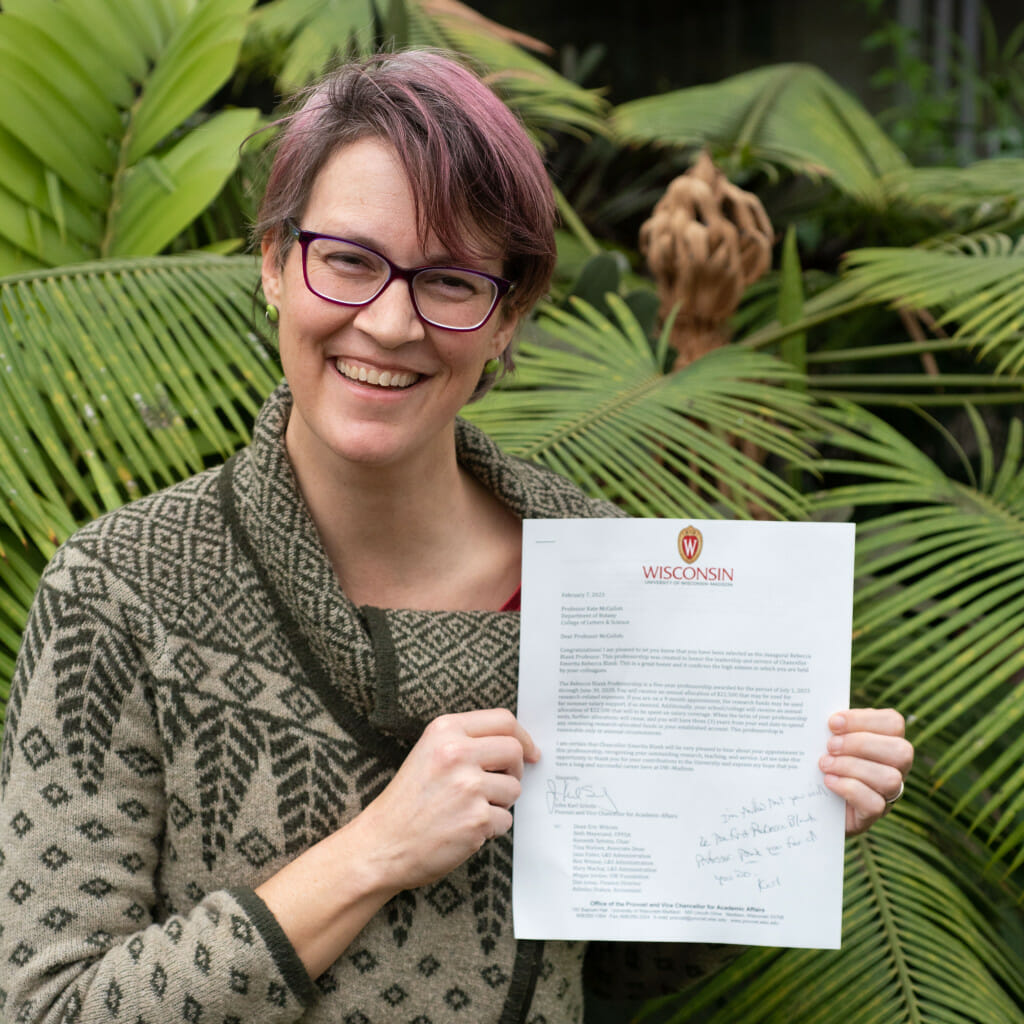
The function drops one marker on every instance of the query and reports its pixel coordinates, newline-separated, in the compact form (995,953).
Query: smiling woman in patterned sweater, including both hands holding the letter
(235,789)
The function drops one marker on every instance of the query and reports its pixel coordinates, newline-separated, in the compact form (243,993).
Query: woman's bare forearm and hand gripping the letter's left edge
(452,794)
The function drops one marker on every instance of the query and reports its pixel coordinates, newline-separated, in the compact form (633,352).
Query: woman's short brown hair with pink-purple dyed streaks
(475,173)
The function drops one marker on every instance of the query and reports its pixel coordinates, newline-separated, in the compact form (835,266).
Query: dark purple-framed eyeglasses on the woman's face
(351,275)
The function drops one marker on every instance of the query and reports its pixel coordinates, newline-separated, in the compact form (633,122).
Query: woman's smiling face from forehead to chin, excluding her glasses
(363,195)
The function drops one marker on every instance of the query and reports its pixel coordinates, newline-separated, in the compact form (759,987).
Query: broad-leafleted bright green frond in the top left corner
(94,95)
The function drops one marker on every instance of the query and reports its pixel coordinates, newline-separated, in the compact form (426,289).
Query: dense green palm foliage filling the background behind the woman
(883,389)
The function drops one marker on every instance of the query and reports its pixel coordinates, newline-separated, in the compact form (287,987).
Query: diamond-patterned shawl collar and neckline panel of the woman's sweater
(397,669)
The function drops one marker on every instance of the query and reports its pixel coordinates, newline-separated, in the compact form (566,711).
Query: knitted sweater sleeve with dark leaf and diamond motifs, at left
(84,935)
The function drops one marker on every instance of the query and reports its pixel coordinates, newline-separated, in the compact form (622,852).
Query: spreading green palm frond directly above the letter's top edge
(590,400)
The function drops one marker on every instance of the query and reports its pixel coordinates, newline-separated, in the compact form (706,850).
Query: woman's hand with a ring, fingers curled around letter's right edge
(868,760)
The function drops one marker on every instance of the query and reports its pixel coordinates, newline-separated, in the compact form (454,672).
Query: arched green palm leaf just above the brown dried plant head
(792,116)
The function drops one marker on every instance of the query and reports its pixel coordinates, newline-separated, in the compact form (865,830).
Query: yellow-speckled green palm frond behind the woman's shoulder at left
(120,378)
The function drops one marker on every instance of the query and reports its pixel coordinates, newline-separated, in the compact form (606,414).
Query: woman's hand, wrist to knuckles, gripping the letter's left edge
(452,794)
